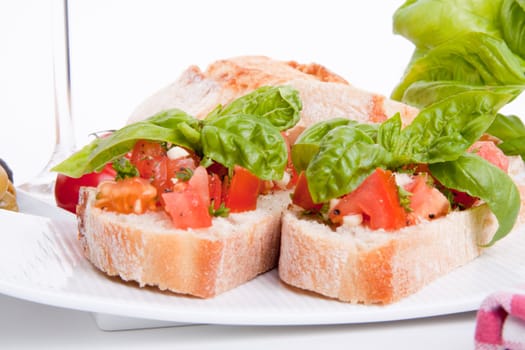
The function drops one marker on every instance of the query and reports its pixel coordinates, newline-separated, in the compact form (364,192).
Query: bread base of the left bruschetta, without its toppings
(202,262)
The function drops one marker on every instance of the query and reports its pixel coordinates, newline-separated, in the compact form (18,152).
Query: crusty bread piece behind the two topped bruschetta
(325,95)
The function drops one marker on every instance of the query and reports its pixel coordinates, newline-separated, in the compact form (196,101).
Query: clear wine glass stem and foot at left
(42,185)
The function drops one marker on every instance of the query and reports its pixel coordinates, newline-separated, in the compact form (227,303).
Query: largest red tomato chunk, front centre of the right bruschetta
(376,199)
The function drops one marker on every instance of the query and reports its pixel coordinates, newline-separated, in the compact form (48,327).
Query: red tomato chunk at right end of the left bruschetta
(242,191)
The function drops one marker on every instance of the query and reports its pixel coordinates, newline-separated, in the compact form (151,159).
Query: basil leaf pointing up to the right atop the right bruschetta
(444,130)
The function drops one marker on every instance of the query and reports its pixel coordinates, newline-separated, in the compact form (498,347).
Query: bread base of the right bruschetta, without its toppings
(358,265)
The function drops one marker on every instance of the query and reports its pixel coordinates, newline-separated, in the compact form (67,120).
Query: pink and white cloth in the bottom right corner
(500,321)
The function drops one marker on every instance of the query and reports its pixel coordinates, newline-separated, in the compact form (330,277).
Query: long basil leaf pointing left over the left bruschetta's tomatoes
(173,126)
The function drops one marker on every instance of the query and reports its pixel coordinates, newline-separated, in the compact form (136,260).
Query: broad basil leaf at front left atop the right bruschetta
(347,155)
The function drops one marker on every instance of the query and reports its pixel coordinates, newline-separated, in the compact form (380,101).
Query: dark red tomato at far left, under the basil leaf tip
(66,188)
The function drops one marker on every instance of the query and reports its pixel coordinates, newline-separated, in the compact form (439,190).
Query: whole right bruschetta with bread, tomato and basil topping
(380,210)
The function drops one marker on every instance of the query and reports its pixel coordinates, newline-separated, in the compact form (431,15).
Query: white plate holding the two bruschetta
(41,261)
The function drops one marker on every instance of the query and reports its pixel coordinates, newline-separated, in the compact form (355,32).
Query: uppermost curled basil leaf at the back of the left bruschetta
(280,105)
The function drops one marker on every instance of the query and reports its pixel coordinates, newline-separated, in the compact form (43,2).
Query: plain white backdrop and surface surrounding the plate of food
(123,51)
